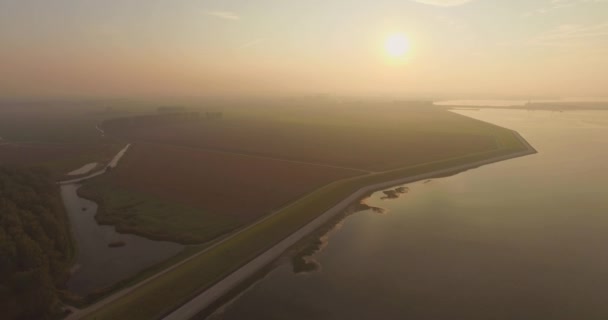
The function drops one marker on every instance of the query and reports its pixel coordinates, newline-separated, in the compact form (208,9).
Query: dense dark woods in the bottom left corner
(35,244)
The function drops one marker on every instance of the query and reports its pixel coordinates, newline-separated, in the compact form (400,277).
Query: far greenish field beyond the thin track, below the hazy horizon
(374,139)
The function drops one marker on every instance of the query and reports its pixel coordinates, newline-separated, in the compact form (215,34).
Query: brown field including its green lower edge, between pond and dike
(191,195)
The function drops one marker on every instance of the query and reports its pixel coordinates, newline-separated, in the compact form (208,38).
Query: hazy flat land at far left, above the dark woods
(58,139)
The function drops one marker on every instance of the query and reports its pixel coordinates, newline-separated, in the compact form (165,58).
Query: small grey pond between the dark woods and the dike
(97,264)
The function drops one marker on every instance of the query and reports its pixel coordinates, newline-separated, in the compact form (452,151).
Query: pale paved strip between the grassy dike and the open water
(209,296)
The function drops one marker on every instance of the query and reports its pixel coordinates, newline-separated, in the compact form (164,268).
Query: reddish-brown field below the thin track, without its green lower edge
(241,186)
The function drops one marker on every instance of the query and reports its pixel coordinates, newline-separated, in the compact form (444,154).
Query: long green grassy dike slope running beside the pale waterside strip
(170,290)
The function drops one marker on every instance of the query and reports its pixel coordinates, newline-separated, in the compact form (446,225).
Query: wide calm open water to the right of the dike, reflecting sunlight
(521,239)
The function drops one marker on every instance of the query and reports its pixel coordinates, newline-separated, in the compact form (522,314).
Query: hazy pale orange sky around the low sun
(165,48)
